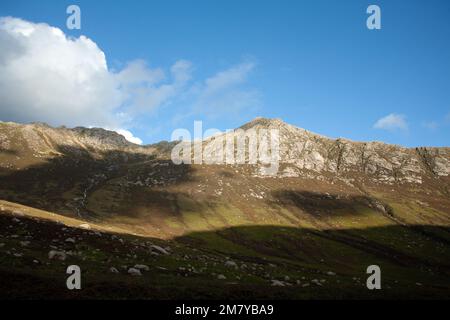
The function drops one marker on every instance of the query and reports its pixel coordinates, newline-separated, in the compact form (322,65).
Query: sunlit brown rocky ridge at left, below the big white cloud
(22,145)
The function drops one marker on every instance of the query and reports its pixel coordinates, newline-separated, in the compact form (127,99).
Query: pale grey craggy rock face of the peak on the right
(303,152)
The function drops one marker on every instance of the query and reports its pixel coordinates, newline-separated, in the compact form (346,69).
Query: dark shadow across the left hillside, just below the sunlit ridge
(64,180)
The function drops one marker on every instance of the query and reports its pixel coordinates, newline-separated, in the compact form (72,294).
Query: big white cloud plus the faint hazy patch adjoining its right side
(47,76)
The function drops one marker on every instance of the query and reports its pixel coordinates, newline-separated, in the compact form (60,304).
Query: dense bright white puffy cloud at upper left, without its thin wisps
(49,77)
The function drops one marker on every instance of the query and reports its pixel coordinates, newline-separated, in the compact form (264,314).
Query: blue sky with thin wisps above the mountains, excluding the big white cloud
(313,64)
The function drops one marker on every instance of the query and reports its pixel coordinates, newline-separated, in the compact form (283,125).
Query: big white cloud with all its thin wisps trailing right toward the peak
(50,77)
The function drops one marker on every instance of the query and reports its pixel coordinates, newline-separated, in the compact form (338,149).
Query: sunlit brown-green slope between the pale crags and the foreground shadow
(214,197)
